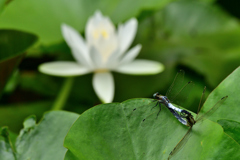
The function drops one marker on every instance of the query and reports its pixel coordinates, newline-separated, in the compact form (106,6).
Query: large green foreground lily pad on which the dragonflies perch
(115,131)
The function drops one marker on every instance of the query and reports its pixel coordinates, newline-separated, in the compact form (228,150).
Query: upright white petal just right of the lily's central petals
(126,34)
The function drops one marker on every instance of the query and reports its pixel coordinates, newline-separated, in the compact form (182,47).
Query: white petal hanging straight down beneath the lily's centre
(103,85)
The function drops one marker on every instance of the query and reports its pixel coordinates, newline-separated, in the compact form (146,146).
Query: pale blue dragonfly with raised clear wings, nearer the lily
(178,87)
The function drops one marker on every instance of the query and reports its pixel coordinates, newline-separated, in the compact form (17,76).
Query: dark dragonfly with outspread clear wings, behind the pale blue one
(191,121)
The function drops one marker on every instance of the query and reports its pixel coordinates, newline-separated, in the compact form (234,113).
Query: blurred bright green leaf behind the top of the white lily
(44,18)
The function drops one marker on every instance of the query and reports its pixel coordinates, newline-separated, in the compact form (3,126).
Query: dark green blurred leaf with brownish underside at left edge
(12,44)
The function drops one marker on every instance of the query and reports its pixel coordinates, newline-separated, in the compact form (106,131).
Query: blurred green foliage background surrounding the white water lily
(201,37)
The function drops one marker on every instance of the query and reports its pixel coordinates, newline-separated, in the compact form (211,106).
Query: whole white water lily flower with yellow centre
(104,50)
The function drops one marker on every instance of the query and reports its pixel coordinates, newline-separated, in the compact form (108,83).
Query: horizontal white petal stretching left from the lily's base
(63,69)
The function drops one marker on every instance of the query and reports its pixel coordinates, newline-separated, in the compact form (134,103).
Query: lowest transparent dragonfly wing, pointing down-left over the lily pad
(180,144)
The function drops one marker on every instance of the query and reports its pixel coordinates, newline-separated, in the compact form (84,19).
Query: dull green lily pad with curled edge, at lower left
(44,140)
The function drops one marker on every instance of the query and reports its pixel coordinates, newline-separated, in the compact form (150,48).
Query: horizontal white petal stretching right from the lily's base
(141,67)
